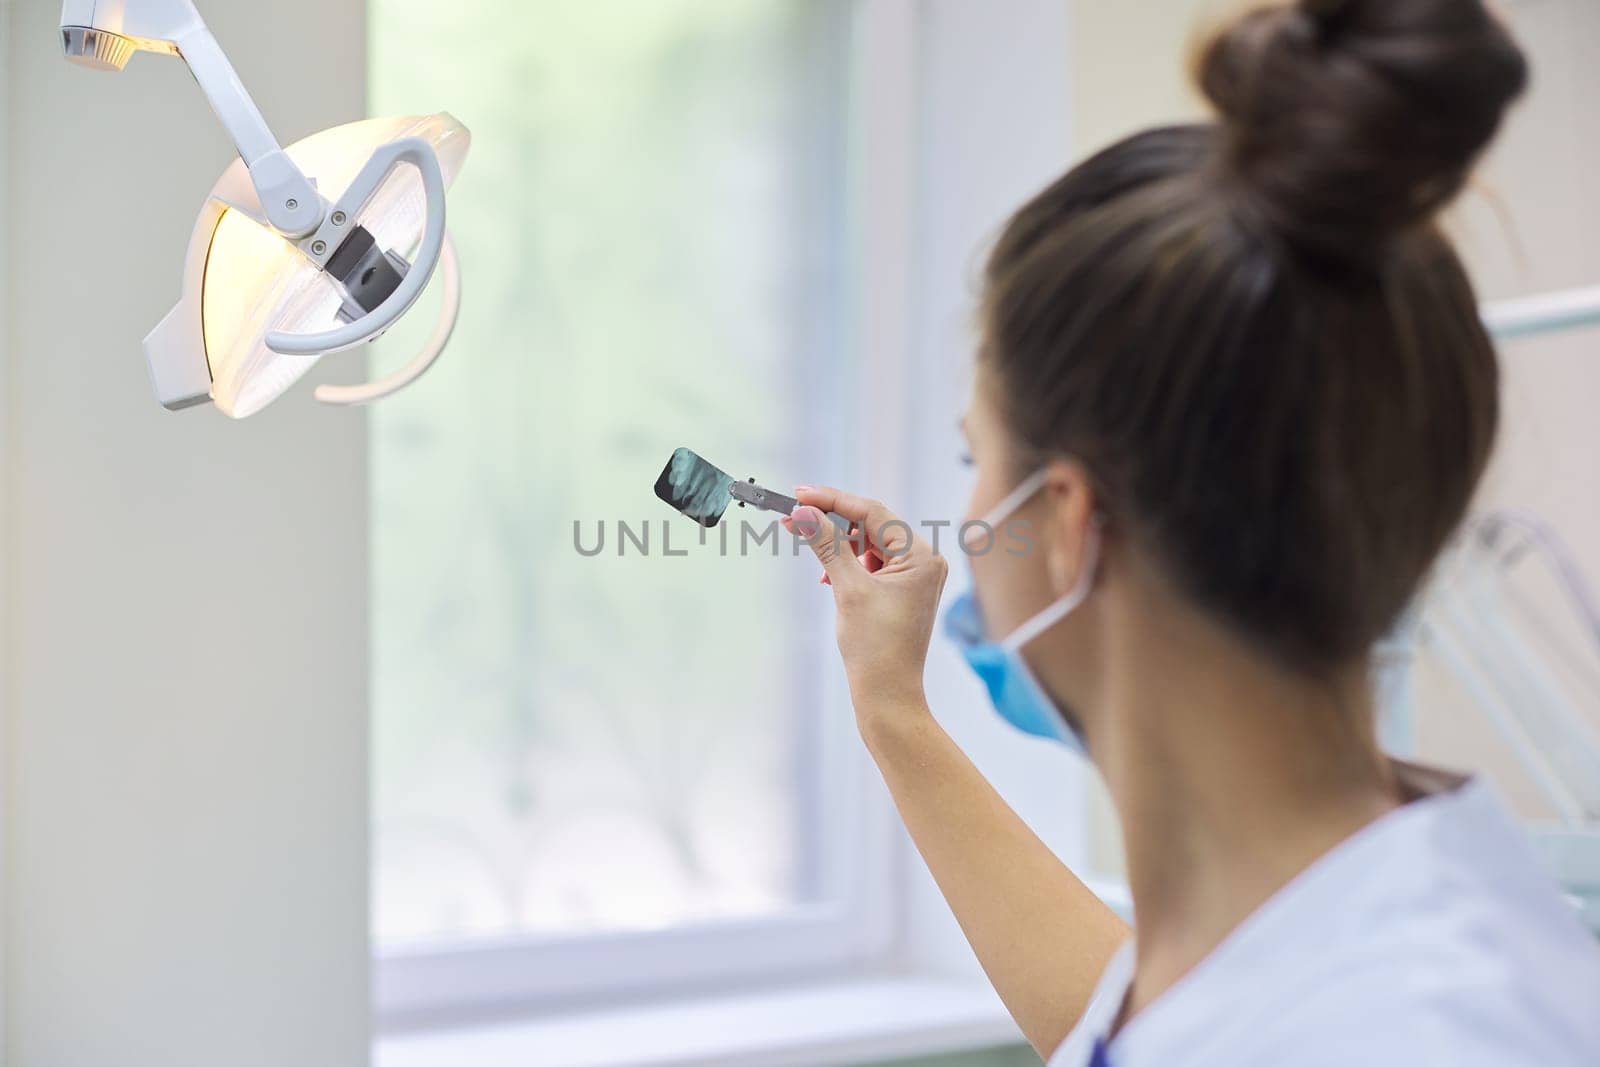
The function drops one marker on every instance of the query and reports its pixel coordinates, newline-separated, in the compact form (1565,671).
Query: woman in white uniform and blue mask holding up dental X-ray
(1234,382)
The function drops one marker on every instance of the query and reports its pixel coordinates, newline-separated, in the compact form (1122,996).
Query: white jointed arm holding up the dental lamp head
(105,34)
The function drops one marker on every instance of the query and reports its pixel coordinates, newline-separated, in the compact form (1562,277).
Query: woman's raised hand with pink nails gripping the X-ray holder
(887,596)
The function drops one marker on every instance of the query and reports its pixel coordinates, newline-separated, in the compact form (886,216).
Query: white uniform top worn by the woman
(1430,938)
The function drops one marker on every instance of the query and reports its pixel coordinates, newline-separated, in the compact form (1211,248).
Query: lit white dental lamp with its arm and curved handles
(298,252)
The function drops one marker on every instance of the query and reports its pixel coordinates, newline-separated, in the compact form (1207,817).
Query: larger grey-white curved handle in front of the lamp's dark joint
(385,159)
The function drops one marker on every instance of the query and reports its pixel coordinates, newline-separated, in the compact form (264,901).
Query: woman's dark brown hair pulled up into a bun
(1252,332)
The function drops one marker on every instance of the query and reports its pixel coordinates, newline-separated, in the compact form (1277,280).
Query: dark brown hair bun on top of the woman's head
(1351,121)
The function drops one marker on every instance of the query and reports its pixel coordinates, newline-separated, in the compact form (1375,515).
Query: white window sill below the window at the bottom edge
(836,1023)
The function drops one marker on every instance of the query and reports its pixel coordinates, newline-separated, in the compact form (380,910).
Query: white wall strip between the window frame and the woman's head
(975,63)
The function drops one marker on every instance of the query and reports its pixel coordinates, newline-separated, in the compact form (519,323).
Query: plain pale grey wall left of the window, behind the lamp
(186,657)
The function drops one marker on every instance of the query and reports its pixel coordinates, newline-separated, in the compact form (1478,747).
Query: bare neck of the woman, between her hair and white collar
(1231,777)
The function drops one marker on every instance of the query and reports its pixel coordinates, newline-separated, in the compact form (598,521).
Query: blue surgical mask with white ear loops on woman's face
(1012,685)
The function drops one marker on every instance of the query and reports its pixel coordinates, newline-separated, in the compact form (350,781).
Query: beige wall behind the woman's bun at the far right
(1534,225)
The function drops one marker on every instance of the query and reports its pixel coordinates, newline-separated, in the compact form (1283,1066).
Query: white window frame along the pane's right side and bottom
(852,927)
